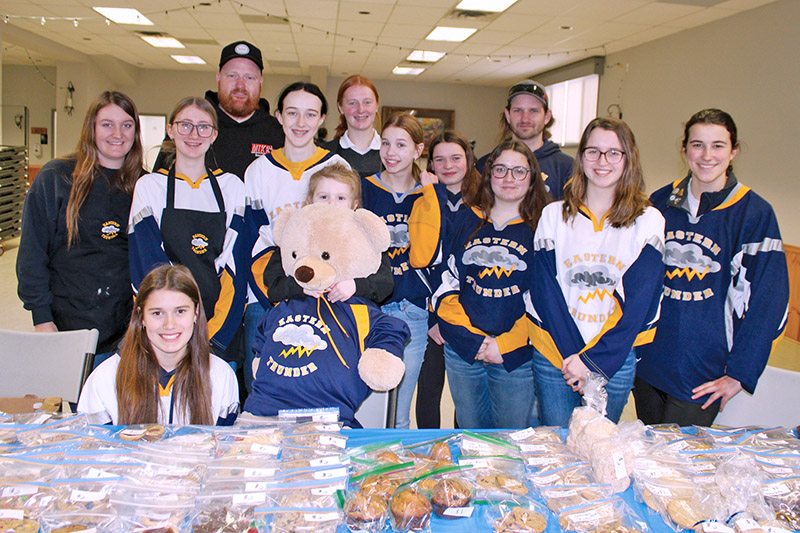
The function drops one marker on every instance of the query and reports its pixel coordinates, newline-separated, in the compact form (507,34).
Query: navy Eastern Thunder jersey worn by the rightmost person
(725,294)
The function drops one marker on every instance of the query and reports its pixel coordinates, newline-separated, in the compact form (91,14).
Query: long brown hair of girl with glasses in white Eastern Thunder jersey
(630,199)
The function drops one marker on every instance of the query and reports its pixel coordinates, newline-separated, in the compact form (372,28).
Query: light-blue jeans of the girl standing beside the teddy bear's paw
(417,320)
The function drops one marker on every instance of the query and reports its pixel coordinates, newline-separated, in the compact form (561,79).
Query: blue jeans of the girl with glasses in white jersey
(557,400)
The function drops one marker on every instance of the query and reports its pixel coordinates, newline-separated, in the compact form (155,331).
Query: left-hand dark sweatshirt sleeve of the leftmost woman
(40,216)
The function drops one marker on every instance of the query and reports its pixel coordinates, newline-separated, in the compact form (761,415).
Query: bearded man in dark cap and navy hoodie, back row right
(527,118)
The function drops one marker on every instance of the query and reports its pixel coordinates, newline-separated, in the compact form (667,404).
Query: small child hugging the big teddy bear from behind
(334,184)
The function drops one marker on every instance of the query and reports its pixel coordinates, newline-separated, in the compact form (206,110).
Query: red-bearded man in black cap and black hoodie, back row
(246,129)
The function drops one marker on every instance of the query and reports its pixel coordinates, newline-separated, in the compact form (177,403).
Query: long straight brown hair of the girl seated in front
(137,376)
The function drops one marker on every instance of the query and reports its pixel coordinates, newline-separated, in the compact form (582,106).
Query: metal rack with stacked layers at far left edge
(13,187)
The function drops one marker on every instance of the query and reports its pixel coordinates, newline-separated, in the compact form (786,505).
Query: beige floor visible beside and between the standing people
(13,316)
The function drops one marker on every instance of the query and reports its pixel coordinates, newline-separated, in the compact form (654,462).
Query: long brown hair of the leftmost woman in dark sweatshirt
(87,162)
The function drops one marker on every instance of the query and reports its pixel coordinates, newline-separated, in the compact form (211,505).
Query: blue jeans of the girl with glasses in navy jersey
(487,395)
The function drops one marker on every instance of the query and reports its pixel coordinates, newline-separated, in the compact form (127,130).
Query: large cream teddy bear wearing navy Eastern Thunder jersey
(314,353)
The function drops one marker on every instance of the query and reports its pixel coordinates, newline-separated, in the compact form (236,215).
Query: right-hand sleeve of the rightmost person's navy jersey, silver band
(756,307)
